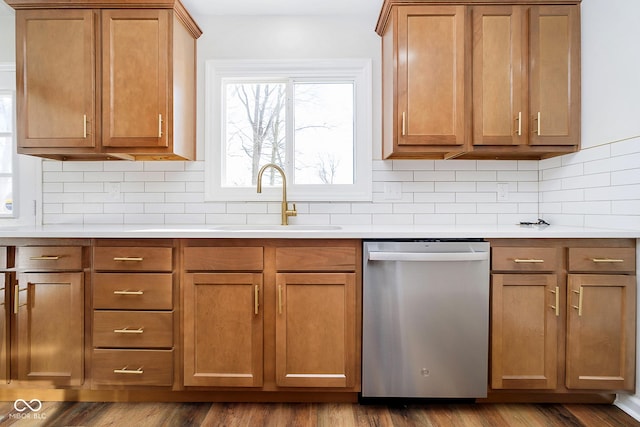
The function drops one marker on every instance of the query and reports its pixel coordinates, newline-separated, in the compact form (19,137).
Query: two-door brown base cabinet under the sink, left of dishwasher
(272,314)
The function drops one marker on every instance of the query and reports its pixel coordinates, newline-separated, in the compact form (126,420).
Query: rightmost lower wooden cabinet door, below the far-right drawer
(601,331)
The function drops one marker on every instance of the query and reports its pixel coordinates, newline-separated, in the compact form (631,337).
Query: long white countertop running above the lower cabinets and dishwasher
(312,232)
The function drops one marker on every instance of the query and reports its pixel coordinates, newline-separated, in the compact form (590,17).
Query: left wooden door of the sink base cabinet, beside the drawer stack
(223,329)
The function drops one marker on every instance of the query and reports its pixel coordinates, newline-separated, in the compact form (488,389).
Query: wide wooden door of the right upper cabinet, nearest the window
(431,84)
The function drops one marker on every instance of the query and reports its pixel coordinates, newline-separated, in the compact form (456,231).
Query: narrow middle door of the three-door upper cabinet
(499,76)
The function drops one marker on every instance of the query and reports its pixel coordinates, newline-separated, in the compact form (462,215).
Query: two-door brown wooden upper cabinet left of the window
(95,82)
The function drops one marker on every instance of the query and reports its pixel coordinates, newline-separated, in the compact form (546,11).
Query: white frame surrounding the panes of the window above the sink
(356,70)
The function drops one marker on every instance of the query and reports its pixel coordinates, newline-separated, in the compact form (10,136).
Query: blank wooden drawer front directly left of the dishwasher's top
(316,259)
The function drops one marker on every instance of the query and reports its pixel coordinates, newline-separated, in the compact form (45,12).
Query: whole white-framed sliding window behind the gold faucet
(312,118)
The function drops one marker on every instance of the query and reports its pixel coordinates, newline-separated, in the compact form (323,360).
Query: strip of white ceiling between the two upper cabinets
(283,7)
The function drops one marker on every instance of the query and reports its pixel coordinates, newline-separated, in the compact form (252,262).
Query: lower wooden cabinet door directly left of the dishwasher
(315,330)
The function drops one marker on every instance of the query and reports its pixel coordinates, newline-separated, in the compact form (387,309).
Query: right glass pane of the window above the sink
(324,135)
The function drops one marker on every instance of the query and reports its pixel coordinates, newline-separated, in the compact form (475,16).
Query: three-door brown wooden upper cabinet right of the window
(463,79)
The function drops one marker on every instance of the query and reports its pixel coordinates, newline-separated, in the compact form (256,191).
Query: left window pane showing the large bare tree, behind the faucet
(254,123)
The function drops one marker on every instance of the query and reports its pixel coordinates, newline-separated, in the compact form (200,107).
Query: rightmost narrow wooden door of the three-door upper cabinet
(554,86)
